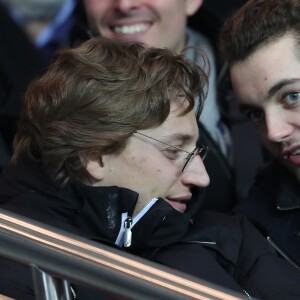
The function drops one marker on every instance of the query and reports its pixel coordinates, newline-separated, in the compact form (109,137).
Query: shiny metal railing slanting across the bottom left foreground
(58,258)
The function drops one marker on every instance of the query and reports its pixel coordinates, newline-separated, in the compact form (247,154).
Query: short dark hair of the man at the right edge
(257,23)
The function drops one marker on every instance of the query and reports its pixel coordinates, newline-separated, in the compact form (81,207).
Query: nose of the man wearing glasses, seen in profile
(195,173)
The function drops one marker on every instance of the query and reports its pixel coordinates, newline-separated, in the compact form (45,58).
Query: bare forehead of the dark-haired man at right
(275,62)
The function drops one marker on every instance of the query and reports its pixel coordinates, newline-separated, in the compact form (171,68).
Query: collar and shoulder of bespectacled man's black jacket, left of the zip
(93,212)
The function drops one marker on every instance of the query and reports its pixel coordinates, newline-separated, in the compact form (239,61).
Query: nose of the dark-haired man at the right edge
(278,126)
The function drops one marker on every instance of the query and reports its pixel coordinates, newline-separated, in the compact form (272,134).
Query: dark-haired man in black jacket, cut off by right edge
(261,44)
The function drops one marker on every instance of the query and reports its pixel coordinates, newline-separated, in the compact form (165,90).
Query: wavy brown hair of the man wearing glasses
(95,96)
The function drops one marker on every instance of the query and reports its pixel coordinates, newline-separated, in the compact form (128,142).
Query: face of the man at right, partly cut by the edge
(267,84)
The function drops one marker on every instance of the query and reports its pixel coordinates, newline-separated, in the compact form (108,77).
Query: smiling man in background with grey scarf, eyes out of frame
(164,24)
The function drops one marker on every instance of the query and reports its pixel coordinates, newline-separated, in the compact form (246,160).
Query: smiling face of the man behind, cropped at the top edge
(154,22)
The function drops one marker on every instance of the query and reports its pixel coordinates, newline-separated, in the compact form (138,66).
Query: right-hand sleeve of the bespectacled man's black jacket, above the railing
(230,252)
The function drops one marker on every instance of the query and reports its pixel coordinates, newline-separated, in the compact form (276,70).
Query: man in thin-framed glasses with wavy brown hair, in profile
(106,148)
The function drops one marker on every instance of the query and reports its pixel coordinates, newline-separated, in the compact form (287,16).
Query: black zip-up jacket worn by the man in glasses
(219,248)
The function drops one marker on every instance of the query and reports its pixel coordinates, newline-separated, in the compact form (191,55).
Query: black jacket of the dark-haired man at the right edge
(273,206)
